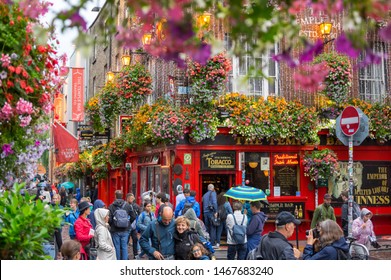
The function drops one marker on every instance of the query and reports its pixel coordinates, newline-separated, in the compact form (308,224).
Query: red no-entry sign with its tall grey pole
(349,123)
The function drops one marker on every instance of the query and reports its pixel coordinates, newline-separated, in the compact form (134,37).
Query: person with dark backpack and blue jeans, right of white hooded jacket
(120,225)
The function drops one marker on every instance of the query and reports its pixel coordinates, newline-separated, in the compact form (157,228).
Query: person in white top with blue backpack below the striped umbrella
(236,233)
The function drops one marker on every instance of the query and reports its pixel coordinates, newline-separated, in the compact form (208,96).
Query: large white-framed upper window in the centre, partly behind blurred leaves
(246,75)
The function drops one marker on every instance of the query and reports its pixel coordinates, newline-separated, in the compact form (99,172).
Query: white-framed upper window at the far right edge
(373,78)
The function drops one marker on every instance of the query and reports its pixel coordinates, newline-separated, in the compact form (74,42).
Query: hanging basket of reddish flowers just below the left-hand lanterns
(134,83)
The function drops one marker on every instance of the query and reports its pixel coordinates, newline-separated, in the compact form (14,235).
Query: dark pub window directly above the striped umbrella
(257,171)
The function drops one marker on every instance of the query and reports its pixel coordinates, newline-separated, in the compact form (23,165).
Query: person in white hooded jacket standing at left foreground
(103,240)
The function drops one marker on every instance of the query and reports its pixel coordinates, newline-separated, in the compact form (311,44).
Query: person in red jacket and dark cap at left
(83,227)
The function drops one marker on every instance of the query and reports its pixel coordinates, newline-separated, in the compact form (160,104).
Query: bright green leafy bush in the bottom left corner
(25,225)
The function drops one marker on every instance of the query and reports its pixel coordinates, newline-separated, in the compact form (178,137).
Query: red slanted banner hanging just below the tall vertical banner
(67,145)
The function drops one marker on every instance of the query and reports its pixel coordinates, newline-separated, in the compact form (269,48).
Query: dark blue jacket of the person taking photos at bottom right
(326,253)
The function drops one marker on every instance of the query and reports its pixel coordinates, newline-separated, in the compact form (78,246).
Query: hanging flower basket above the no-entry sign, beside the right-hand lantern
(338,82)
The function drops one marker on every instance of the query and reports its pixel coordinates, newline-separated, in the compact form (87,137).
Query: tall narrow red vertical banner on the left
(77,94)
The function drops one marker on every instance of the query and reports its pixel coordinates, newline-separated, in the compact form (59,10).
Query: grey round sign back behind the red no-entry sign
(360,135)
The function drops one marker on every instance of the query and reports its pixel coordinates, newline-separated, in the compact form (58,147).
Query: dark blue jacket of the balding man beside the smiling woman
(161,237)
